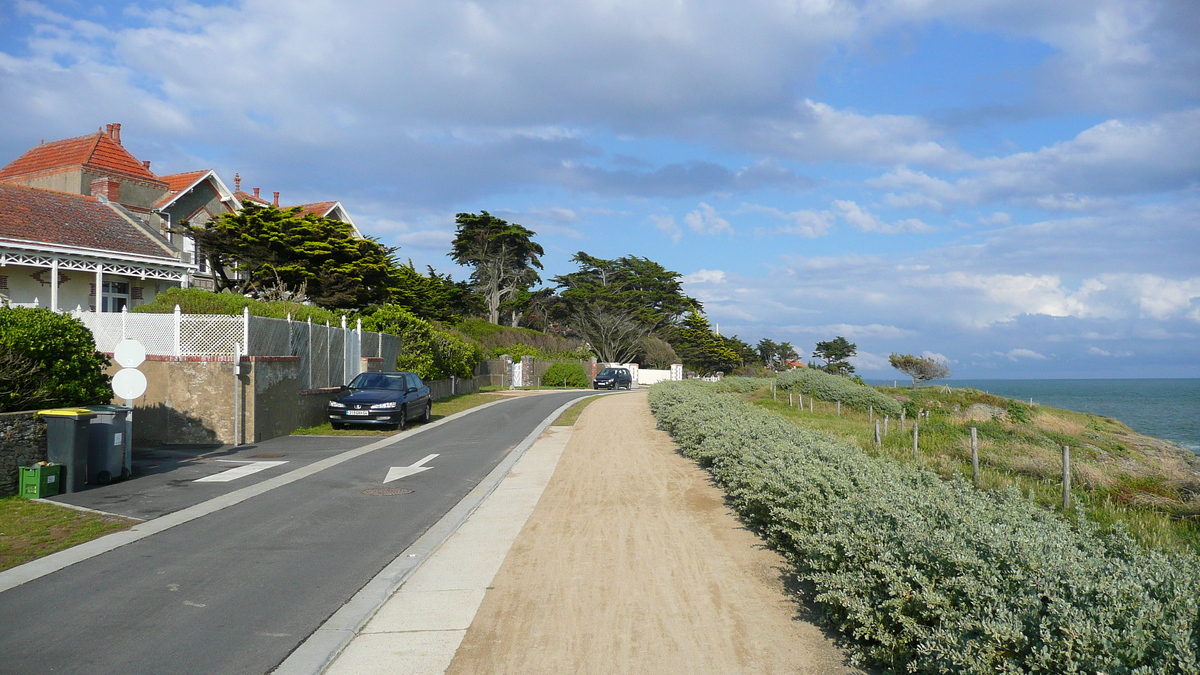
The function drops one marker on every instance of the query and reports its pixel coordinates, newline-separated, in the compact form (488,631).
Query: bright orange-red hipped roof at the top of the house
(97,152)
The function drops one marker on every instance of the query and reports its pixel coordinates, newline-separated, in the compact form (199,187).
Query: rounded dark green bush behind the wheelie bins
(49,360)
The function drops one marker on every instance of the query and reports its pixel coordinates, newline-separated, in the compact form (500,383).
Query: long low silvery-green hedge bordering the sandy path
(926,576)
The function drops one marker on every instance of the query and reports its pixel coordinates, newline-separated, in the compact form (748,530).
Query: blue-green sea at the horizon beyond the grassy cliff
(1165,409)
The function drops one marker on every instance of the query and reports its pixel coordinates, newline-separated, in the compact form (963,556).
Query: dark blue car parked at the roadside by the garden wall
(382,399)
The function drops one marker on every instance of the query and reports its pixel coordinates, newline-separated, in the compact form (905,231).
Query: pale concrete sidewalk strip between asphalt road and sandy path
(418,630)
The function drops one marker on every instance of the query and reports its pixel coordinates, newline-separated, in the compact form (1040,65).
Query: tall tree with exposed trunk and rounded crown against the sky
(503,255)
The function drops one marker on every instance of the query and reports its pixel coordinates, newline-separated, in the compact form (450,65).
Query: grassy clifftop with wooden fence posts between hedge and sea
(1119,477)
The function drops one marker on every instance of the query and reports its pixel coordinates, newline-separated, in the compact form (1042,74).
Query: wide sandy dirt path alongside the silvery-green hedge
(632,563)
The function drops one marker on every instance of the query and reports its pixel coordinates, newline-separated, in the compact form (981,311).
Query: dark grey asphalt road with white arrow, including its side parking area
(237,590)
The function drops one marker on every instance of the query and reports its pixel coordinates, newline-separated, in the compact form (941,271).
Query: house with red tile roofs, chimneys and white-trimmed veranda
(87,205)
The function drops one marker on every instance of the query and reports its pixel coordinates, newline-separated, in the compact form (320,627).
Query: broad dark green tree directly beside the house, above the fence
(281,255)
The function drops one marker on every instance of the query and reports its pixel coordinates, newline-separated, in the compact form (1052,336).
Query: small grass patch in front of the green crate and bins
(31,530)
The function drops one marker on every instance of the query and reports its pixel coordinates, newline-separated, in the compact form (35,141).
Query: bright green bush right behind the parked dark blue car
(424,350)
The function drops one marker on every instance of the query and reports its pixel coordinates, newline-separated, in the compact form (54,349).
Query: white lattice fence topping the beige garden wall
(329,356)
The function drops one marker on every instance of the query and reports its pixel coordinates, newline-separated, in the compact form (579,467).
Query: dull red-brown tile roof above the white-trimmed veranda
(33,214)
